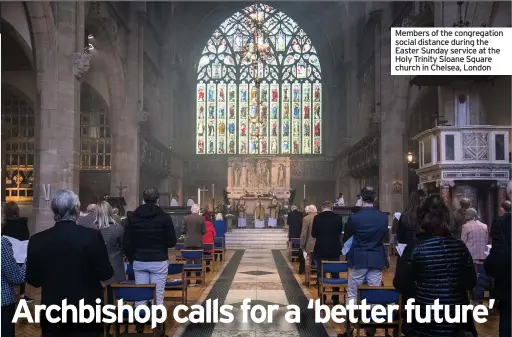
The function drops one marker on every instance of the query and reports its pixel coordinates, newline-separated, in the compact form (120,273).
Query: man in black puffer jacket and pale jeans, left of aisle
(147,239)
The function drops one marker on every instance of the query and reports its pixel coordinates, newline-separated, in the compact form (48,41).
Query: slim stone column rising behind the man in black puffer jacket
(125,135)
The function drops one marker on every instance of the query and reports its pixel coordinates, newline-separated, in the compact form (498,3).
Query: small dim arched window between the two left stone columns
(95,131)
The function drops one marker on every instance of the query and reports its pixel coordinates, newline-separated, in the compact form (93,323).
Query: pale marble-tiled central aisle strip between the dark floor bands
(257,278)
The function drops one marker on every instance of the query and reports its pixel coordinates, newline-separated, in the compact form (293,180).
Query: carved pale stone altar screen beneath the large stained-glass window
(258,179)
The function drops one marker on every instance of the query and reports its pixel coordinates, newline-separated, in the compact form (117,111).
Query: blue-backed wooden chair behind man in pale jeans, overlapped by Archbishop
(130,293)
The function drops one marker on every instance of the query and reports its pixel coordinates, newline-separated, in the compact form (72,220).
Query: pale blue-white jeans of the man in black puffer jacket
(152,273)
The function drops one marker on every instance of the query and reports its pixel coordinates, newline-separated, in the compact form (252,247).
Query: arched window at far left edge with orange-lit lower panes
(18,122)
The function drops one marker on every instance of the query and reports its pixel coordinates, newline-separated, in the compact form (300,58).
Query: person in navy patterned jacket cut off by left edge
(12,275)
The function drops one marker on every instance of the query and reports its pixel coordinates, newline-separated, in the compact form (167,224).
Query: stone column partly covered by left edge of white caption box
(393,101)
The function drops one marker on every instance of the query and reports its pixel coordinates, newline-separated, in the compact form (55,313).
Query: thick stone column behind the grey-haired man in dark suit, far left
(58,117)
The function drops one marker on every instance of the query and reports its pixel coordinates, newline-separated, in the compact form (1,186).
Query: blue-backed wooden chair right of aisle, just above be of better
(326,285)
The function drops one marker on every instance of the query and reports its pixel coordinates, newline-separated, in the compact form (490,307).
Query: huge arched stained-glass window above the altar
(285,115)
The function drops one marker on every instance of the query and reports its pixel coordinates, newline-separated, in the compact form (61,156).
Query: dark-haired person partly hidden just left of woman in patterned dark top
(408,222)
